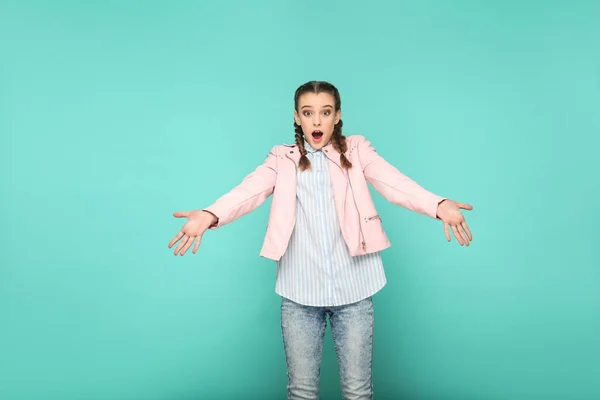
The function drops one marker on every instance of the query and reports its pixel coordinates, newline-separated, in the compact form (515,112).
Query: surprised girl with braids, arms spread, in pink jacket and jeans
(325,235)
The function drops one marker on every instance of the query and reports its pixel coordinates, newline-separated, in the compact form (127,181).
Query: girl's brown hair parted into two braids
(337,139)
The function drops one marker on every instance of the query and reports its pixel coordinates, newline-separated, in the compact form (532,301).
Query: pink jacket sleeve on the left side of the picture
(248,195)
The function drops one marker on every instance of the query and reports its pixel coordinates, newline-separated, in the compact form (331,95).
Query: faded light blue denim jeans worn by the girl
(303,329)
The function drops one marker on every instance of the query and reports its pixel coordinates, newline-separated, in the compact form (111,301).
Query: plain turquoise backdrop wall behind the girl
(115,114)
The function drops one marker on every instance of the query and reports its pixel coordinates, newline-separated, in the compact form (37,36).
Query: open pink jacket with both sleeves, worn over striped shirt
(359,222)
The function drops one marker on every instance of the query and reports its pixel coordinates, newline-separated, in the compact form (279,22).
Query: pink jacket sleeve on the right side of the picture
(396,187)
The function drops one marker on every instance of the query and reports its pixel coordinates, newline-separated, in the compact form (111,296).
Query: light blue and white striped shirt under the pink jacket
(317,268)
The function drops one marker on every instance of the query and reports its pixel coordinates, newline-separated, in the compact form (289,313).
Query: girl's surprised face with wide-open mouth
(317,116)
